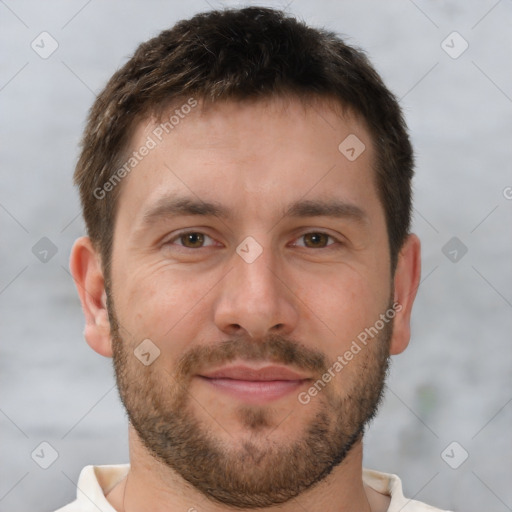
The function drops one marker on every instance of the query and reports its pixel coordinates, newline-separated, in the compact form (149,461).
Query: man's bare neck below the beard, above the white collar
(150,485)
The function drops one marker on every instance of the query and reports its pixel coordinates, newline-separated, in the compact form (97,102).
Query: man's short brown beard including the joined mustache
(257,471)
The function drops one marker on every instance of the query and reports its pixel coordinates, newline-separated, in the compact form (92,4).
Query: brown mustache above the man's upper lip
(273,348)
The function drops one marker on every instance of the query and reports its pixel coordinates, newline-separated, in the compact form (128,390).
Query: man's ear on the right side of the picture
(406,282)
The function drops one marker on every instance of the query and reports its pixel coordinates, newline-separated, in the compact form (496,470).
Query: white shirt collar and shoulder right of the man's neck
(390,484)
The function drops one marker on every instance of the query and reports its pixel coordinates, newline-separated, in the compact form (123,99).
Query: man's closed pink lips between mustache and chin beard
(255,385)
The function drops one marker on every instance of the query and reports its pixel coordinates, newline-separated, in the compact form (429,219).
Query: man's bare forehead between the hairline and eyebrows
(251,156)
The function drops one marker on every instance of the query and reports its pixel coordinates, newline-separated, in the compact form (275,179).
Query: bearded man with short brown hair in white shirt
(246,185)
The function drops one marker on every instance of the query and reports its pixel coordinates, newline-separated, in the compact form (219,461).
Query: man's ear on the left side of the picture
(85,265)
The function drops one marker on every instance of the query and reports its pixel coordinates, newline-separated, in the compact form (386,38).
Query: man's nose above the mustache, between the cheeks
(255,297)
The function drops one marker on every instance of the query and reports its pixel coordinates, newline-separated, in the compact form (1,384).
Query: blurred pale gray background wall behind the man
(453,383)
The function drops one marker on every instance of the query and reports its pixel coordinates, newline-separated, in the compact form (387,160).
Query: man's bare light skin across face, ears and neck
(255,159)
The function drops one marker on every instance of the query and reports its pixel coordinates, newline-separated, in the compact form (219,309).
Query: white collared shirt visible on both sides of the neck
(97,481)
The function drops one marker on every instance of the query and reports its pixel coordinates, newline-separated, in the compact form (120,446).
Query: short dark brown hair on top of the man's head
(241,54)
